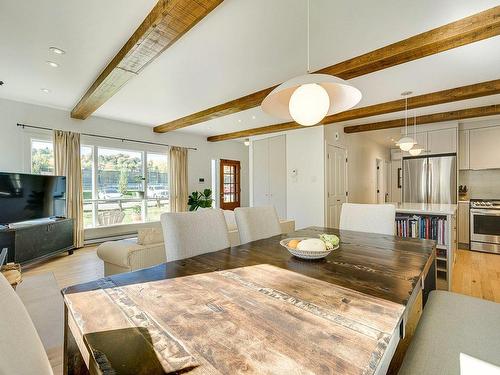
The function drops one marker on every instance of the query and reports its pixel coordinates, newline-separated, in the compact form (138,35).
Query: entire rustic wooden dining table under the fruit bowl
(255,309)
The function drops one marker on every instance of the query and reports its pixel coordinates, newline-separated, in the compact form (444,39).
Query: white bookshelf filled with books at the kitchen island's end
(438,225)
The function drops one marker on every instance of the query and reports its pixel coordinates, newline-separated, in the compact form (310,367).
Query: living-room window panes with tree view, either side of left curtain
(119,187)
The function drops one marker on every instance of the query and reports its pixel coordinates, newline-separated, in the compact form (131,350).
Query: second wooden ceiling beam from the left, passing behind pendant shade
(467,30)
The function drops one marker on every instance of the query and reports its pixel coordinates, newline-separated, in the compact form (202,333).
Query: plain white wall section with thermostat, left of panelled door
(306,191)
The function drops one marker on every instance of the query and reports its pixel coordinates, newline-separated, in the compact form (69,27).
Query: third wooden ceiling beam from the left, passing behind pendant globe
(439,97)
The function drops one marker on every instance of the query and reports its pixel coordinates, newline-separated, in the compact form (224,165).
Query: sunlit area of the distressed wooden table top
(253,320)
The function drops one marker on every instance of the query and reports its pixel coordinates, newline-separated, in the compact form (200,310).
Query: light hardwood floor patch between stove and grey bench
(477,274)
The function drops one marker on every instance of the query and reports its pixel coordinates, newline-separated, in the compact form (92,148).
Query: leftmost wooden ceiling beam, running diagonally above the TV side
(163,26)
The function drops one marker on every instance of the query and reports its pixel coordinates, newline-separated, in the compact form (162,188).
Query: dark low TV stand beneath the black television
(37,239)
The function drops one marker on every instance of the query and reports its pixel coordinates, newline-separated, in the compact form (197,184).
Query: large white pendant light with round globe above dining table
(309,98)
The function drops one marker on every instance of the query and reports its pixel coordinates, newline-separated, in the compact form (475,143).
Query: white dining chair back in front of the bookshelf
(371,218)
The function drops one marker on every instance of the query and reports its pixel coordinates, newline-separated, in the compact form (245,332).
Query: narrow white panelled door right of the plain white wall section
(336,184)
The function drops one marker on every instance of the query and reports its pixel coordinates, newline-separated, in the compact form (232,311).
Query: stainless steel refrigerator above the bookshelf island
(430,179)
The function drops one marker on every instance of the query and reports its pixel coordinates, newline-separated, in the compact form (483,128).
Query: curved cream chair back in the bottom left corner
(21,350)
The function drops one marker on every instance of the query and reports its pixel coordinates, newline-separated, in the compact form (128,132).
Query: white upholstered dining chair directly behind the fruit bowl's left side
(255,223)
